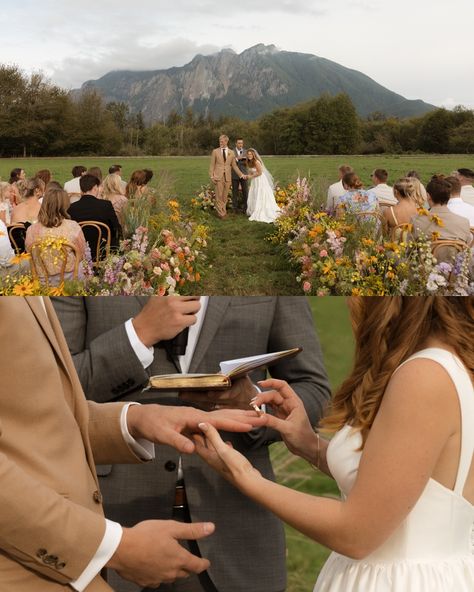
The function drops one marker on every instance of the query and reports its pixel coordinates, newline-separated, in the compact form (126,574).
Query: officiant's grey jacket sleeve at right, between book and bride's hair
(293,325)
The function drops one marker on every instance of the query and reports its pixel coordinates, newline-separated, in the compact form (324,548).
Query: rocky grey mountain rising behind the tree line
(247,85)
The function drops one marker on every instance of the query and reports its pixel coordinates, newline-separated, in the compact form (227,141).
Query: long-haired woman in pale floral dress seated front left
(54,221)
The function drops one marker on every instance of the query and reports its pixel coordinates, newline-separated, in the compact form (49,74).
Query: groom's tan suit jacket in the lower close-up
(51,518)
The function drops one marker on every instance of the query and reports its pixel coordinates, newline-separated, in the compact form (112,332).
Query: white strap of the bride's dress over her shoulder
(465,390)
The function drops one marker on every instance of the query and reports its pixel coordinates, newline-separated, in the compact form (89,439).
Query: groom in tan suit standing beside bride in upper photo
(223,161)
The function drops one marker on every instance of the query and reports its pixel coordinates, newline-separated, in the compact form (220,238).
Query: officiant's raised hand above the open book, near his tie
(163,317)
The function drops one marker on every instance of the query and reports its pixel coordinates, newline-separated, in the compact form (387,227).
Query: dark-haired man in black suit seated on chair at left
(91,208)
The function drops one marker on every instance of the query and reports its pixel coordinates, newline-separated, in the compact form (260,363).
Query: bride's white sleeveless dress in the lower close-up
(433,549)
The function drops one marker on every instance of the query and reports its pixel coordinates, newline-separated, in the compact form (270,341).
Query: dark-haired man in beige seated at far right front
(440,222)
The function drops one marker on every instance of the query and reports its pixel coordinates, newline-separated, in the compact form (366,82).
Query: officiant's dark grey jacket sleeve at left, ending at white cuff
(107,366)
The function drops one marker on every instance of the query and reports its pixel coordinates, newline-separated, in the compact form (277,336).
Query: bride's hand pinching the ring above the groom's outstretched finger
(289,417)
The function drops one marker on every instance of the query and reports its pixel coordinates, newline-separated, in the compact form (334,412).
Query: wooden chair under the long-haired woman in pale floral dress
(42,258)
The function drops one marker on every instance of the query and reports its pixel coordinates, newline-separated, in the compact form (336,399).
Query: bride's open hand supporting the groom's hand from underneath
(223,458)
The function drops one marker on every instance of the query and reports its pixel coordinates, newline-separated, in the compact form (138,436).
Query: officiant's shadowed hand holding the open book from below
(237,397)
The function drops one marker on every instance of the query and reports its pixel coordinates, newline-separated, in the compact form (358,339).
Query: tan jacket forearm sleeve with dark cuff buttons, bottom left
(38,524)
